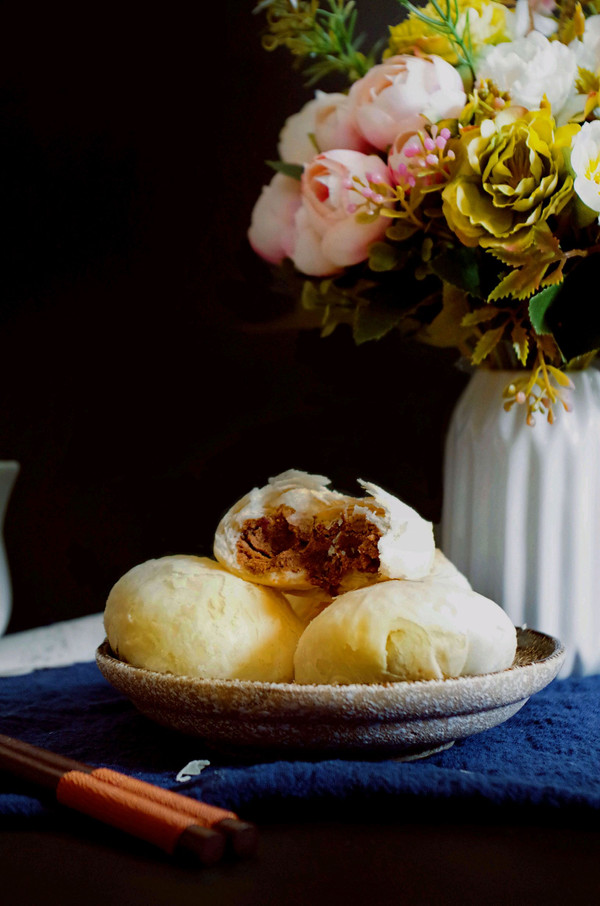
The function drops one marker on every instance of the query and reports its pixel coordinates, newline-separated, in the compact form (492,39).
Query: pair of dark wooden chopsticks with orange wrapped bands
(169,820)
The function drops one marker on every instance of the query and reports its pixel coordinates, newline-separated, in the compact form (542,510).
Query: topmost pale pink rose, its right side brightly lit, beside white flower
(393,94)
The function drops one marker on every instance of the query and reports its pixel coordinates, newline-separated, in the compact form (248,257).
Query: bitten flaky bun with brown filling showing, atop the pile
(296,534)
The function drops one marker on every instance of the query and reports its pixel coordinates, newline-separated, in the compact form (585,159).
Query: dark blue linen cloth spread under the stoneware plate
(544,758)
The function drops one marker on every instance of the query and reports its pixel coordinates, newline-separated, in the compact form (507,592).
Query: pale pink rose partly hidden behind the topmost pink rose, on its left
(329,118)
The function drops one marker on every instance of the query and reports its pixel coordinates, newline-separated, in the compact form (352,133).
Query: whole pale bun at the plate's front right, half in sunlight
(402,630)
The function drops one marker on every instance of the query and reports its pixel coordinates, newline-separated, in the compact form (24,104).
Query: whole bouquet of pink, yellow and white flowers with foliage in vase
(451,190)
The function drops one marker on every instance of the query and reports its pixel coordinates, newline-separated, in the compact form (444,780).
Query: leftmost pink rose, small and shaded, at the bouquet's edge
(272,232)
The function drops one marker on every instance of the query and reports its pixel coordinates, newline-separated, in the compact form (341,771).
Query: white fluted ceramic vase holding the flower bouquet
(521,510)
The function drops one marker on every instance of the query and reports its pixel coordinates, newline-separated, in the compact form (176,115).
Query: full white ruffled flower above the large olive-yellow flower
(531,67)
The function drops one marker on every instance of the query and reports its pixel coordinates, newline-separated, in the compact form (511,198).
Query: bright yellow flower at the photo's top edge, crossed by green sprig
(487,25)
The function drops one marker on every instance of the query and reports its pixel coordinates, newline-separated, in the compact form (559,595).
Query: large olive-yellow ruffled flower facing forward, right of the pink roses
(510,175)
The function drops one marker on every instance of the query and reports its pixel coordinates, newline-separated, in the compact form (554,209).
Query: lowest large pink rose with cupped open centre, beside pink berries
(328,236)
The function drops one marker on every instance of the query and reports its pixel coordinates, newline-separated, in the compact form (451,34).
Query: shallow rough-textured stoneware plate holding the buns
(407,719)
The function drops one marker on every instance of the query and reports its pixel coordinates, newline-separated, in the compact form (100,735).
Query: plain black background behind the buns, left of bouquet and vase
(145,386)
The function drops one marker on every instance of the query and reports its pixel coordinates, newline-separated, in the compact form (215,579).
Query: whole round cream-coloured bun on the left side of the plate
(188,616)
